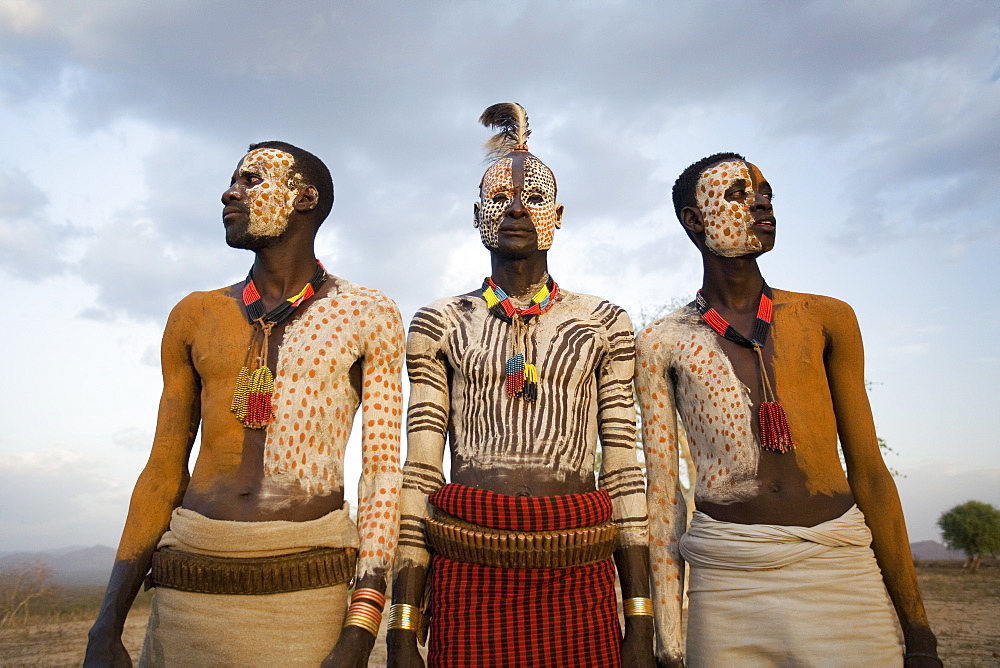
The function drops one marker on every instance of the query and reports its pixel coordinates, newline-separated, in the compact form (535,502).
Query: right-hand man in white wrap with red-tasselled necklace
(792,561)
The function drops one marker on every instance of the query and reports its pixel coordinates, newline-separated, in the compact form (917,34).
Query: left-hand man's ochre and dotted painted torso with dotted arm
(340,349)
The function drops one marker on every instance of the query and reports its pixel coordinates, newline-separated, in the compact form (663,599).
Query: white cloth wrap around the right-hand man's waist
(772,595)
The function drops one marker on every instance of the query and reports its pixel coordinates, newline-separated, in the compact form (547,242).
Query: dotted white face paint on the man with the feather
(537,188)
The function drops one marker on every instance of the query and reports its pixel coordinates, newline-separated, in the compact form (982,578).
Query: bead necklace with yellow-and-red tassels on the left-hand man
(252,396)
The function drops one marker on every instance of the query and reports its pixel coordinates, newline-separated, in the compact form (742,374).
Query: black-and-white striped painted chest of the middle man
(489,430)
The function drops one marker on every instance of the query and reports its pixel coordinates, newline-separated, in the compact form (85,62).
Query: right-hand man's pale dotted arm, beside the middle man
(667,509)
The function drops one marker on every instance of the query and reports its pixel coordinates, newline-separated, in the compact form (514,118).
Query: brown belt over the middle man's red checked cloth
(454,539)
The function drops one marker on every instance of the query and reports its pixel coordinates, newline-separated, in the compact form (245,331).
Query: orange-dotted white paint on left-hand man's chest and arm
(315,404)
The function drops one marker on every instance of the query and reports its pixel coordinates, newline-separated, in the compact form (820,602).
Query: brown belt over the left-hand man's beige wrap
(314,569)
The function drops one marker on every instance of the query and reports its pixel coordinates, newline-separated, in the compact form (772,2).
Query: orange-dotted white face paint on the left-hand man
(271,198)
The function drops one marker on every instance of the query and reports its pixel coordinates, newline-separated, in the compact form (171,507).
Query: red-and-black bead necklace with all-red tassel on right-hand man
(774,432)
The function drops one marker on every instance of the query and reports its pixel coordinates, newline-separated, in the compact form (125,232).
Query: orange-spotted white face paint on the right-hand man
(728,222)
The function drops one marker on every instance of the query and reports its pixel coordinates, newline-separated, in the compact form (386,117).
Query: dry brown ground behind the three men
(964,610)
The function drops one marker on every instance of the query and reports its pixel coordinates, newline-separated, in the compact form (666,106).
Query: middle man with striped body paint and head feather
(520,377)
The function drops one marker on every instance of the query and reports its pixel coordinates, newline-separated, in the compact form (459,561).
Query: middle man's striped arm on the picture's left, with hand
(427,424)
